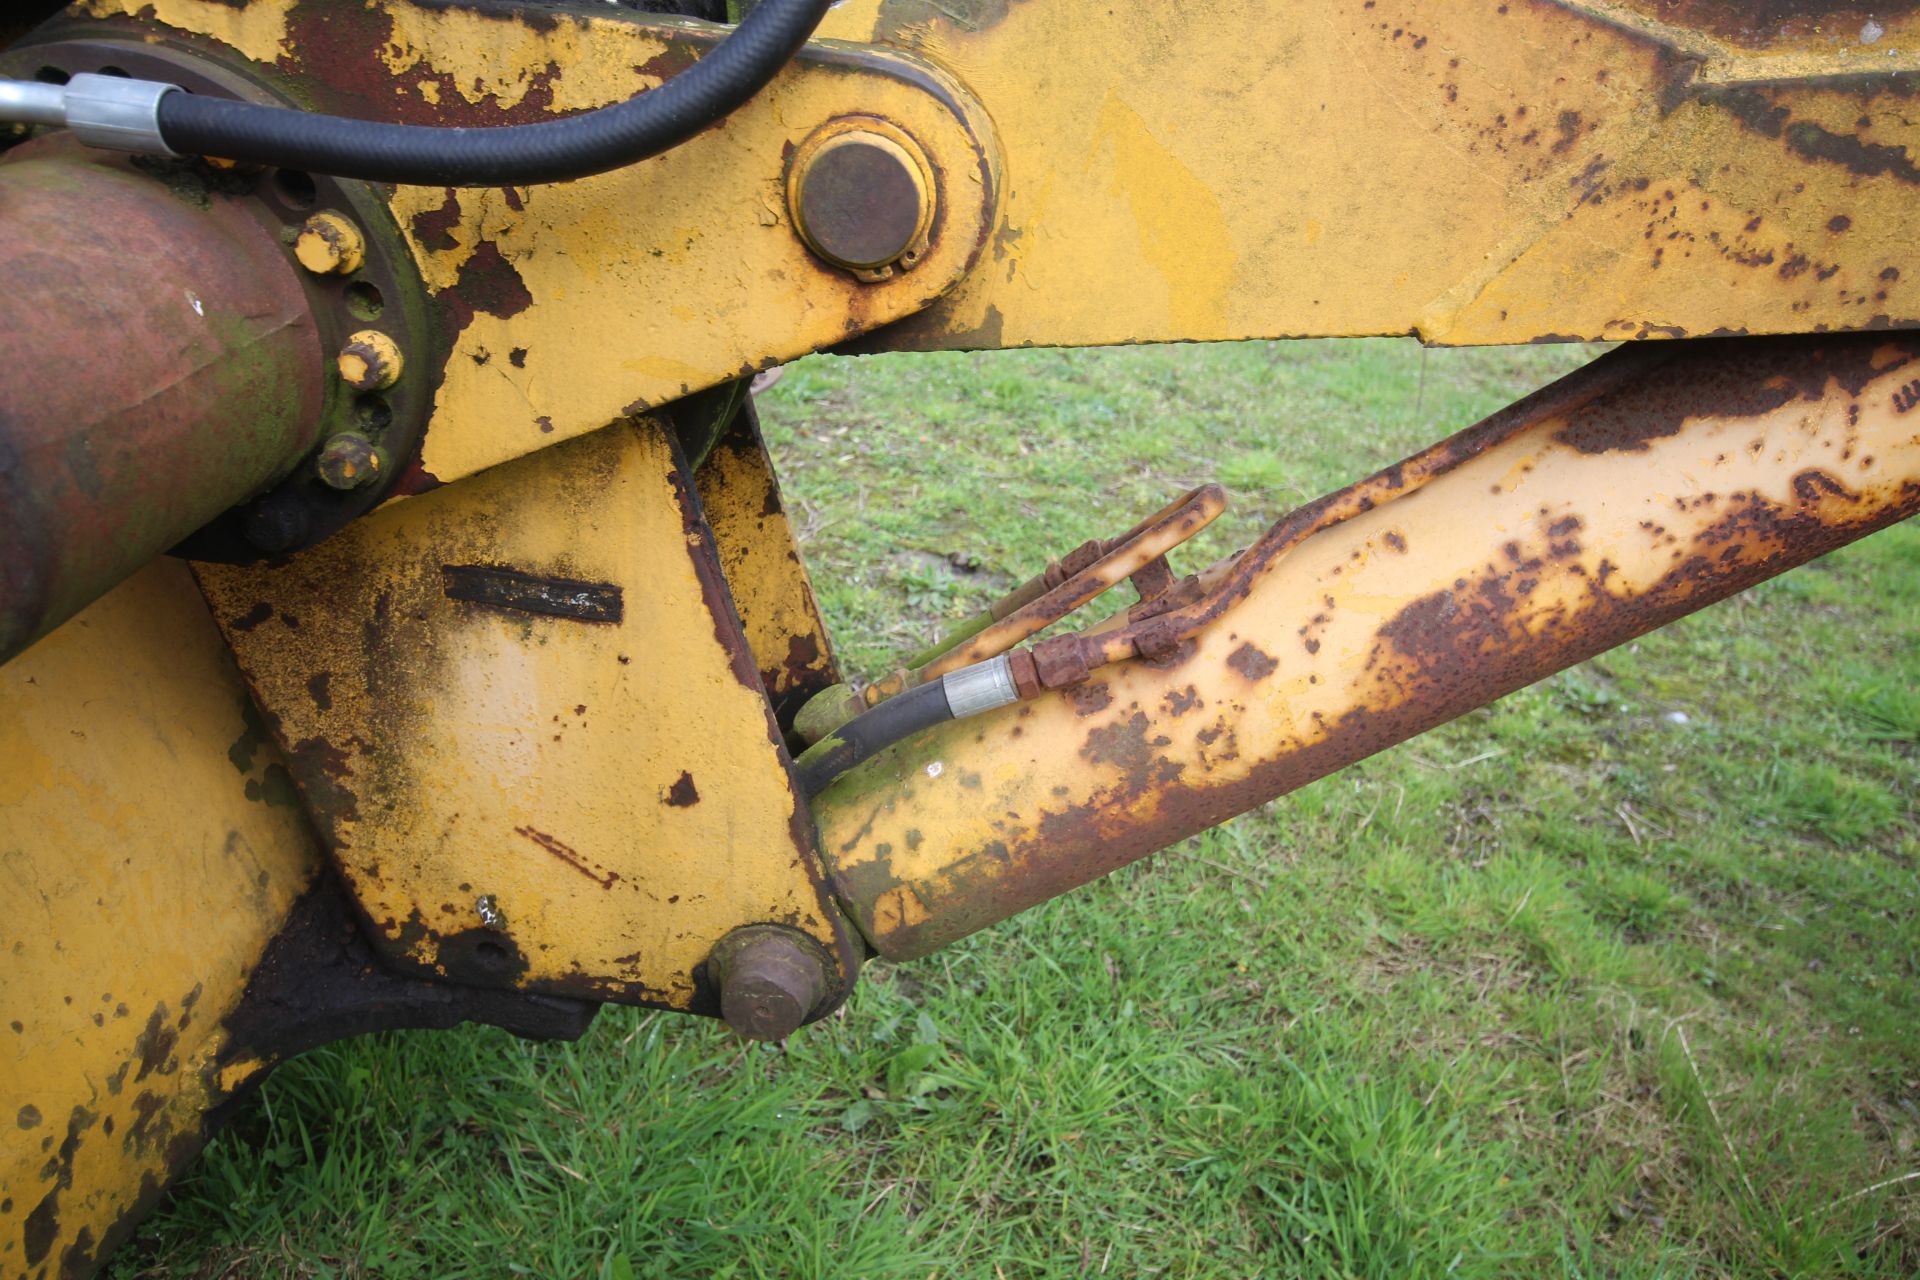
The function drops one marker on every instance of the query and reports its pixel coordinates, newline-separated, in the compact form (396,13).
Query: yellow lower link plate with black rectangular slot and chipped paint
(613,790)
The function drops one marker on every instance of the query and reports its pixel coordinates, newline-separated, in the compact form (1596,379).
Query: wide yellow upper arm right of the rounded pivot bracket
(1466,174)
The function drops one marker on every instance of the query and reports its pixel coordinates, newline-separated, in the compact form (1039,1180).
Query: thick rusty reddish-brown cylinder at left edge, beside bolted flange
(162,366)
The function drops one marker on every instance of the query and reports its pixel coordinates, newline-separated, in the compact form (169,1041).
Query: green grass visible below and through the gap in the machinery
(1610,980)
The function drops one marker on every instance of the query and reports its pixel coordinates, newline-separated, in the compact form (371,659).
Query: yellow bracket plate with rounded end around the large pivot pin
(702,229)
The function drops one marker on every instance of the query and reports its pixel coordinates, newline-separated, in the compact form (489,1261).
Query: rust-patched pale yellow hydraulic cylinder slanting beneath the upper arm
(1635,494)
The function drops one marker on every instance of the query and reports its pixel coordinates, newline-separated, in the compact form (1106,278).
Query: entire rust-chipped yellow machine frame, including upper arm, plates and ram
(523,740)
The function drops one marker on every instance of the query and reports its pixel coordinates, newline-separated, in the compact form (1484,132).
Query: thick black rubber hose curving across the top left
(512,154)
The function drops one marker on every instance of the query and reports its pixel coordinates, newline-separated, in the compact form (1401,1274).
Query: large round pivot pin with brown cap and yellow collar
(863,197)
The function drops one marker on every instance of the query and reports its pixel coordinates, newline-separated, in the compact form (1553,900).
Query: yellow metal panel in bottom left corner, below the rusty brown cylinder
(143,870)
